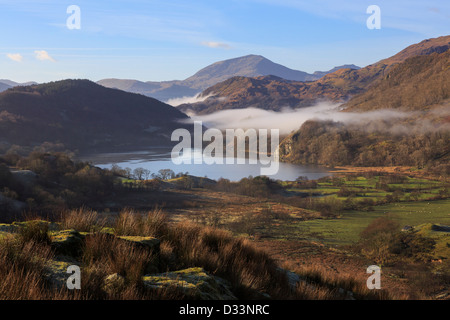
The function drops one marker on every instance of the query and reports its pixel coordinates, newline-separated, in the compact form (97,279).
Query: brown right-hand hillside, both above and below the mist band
(419,88)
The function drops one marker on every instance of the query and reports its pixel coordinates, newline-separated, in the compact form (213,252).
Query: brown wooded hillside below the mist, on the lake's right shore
(334,144)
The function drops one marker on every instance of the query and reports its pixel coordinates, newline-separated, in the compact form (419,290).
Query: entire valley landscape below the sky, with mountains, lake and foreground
(73,188)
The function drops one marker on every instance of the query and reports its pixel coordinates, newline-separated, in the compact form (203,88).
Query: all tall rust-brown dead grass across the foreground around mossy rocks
(252,272)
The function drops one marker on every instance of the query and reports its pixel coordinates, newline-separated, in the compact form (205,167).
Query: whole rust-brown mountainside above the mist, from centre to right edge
(272,93)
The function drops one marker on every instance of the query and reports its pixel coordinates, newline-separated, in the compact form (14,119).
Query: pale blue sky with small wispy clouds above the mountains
(166,40)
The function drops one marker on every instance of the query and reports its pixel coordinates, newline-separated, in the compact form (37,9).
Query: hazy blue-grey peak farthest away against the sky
(247,66)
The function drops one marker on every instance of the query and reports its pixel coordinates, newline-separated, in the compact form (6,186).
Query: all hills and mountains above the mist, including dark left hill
(89,117)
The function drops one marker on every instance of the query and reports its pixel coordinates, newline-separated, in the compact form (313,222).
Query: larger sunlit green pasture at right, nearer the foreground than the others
(346,229)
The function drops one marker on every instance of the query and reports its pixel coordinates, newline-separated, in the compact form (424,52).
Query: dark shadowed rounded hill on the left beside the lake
(84,116)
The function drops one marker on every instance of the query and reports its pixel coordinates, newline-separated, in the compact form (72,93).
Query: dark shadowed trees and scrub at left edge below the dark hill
(48,182)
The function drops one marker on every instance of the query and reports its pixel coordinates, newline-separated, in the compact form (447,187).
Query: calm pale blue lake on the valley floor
(158,158)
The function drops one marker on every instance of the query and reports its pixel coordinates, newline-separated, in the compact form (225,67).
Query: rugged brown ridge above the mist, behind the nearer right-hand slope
(340,85)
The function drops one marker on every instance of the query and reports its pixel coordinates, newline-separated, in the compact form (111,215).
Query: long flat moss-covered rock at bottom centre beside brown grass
(194,283)
